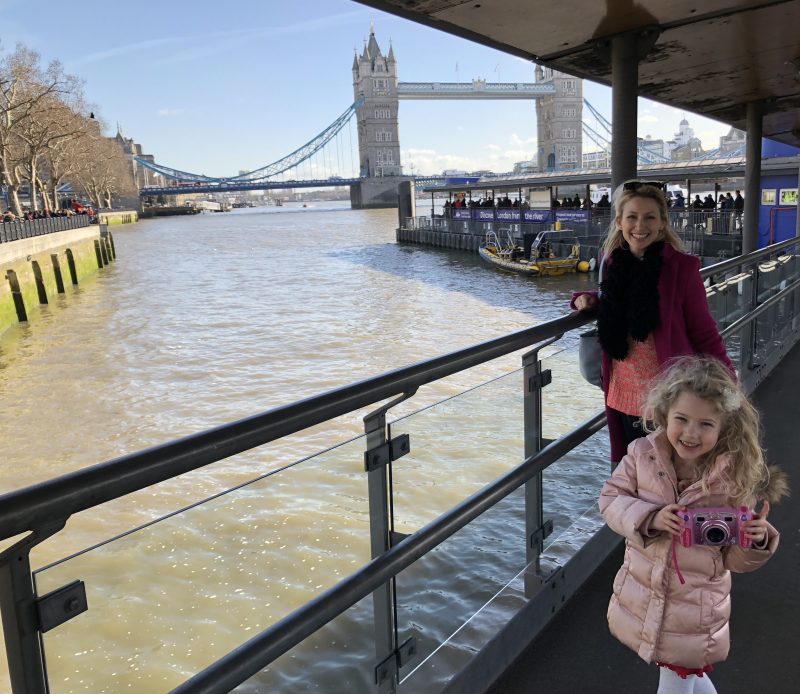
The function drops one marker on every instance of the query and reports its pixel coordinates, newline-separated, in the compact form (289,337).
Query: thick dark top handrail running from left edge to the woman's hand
(37,505)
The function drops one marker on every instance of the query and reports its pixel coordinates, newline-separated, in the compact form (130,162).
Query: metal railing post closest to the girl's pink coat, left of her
(536,529)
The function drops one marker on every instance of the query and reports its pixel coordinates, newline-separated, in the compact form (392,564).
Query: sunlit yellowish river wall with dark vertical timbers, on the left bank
(38,269)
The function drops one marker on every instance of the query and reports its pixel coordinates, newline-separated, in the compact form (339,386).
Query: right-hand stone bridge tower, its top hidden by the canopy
(559,122)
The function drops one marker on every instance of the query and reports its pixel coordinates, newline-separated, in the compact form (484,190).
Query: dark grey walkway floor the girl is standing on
(577,655)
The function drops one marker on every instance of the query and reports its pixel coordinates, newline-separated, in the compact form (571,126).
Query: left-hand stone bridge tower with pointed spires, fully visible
(375,78)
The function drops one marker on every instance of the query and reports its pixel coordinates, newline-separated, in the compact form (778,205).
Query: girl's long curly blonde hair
(748,478)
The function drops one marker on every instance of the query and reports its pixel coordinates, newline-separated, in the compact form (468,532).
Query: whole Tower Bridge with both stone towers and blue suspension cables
(375,171)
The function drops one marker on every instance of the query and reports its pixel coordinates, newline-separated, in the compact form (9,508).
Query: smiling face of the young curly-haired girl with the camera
(693,427)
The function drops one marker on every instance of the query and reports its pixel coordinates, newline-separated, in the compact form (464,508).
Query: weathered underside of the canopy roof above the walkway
(711,58)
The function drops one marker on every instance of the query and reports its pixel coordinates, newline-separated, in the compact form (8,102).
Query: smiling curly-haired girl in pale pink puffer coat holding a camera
(671,603)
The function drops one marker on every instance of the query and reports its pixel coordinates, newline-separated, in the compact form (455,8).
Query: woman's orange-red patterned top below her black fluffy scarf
(630,379)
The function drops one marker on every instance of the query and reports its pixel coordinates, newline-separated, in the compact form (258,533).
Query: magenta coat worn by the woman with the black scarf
(686,326)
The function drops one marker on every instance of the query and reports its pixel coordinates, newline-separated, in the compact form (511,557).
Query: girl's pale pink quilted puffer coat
(650,611)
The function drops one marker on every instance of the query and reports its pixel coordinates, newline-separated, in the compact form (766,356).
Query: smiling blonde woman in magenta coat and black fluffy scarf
(652,307)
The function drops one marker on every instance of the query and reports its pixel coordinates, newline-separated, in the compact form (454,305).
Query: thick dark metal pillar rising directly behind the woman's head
(624,87)
